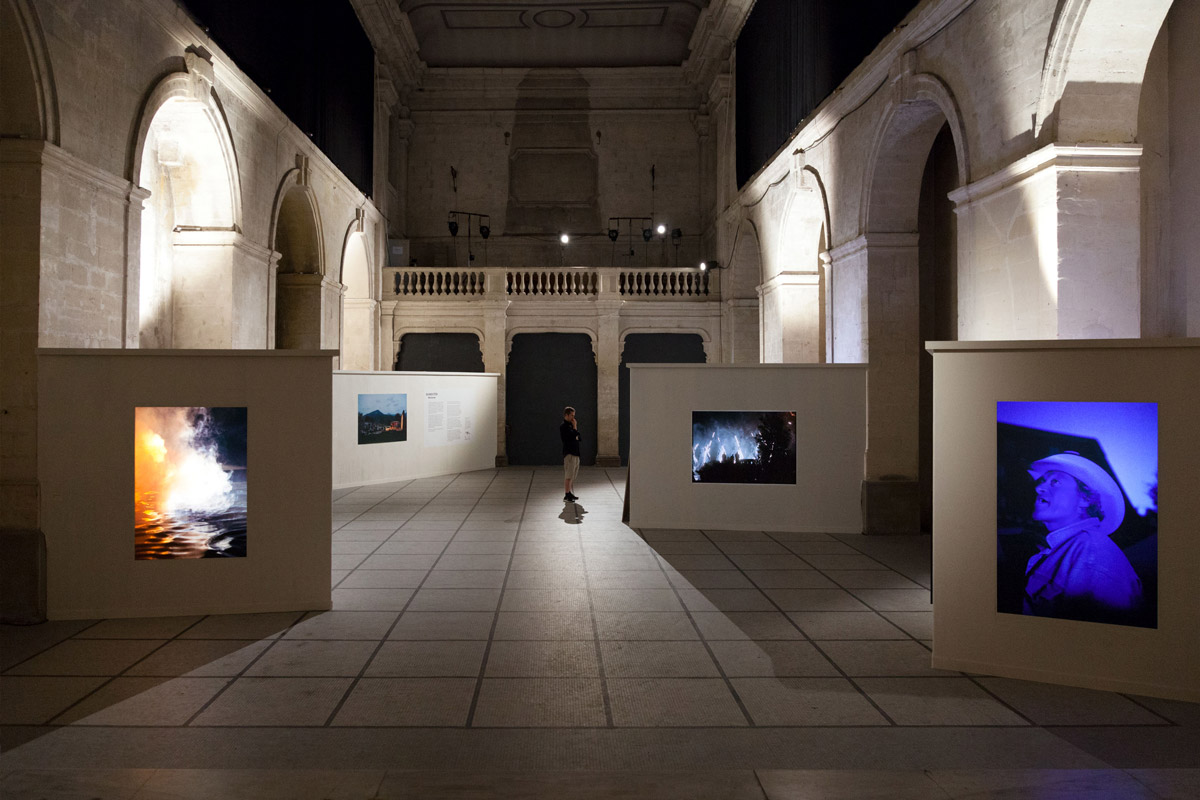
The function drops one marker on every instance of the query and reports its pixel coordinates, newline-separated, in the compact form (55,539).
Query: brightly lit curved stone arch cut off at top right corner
(1091,80)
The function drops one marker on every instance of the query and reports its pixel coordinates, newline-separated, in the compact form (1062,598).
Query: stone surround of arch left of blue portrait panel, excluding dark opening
(921,109)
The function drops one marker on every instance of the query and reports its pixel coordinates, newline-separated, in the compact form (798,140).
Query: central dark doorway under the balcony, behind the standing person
(548,372)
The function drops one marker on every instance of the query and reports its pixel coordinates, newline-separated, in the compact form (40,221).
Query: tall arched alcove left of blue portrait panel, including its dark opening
(911,262)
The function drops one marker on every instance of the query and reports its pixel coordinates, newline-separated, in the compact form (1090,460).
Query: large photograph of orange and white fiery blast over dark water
(189,483)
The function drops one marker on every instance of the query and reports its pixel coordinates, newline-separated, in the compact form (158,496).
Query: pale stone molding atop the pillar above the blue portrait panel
(1063,158)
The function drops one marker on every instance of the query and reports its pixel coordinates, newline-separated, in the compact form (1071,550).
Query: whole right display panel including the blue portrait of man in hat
(1063,550)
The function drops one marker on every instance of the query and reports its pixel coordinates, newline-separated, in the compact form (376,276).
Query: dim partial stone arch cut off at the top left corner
(27,83)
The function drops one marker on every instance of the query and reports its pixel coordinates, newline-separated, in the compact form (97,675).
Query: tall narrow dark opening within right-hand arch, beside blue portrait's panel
(938,254)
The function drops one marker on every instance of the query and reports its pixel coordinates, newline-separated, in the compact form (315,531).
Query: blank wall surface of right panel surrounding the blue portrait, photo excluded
(969,631)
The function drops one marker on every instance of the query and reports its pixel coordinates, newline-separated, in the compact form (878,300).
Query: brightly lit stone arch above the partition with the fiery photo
(185,272)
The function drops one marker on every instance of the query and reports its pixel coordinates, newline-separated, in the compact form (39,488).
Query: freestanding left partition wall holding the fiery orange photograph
(89,426)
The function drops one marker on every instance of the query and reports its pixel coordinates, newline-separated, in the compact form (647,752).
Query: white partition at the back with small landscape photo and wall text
(449,425)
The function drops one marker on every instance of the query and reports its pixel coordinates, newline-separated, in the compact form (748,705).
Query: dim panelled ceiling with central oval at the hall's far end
(545,34)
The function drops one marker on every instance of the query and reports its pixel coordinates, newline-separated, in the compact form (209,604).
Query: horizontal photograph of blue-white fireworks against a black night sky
(743,448)
